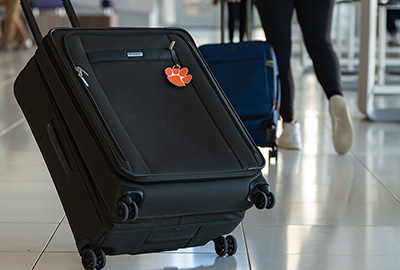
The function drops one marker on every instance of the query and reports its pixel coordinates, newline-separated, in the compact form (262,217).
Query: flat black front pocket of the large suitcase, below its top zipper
(170,126)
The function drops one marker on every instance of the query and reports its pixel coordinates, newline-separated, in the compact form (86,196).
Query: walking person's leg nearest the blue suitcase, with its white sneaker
(276,18)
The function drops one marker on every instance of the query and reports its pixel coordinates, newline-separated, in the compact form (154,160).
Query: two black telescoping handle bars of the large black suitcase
(37,35)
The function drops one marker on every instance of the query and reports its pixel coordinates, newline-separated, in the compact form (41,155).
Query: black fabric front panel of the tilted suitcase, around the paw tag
(173,130)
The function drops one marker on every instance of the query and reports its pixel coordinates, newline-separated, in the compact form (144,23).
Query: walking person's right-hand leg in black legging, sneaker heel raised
(315,18)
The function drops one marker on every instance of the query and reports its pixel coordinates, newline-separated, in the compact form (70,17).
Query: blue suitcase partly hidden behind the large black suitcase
(248,74)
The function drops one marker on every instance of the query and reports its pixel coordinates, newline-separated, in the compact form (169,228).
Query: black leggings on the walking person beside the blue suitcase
(315,19)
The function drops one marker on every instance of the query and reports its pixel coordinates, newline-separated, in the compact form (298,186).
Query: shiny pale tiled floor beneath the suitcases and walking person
(333,212)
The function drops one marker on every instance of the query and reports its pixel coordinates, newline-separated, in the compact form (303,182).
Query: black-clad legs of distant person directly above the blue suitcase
(237,12)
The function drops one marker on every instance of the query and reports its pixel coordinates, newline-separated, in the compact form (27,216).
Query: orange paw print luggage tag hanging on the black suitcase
(176,75)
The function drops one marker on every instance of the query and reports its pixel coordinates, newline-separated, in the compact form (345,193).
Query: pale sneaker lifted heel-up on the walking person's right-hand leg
(342,127)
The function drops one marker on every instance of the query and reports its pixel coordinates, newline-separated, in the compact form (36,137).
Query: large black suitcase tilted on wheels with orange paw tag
(144,149)
